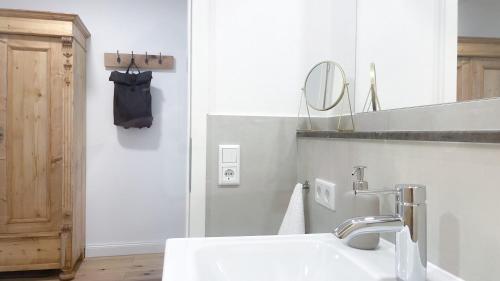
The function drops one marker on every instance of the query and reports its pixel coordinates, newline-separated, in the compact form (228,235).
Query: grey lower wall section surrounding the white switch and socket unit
(268,174)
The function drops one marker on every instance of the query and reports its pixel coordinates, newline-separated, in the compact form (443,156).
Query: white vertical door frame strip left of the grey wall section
(199,104)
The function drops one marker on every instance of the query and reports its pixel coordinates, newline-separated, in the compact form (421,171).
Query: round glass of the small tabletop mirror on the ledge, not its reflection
(324,85)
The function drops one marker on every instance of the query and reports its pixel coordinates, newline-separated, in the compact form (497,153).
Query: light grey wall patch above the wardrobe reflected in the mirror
(479,18)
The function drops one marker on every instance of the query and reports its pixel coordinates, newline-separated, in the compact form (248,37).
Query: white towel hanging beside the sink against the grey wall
(293,222)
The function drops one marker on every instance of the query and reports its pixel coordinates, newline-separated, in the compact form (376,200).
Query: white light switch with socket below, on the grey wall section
(229,165)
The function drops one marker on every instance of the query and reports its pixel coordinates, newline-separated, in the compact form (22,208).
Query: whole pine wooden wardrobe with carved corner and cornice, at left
(42,145)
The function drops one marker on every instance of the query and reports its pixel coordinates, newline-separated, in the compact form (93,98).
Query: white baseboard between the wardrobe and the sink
(122,249)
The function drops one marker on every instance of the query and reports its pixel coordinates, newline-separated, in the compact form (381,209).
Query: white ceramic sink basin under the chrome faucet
(310,257)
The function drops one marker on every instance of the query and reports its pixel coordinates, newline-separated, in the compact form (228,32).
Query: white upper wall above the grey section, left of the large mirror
(262,51)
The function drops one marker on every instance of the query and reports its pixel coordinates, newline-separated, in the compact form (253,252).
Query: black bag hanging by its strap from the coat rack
(132,98)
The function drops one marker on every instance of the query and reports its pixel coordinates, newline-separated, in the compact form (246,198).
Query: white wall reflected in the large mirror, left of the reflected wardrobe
(413,44)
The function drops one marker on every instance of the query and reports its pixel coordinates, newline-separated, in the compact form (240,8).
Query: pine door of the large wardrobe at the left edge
(32,188)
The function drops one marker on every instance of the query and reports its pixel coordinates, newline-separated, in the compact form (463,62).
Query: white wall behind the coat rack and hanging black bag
(136,179)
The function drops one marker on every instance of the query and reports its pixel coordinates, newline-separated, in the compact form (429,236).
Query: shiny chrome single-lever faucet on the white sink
(409,223)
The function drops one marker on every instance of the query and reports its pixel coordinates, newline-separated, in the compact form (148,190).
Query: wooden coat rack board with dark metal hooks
(143,61)
